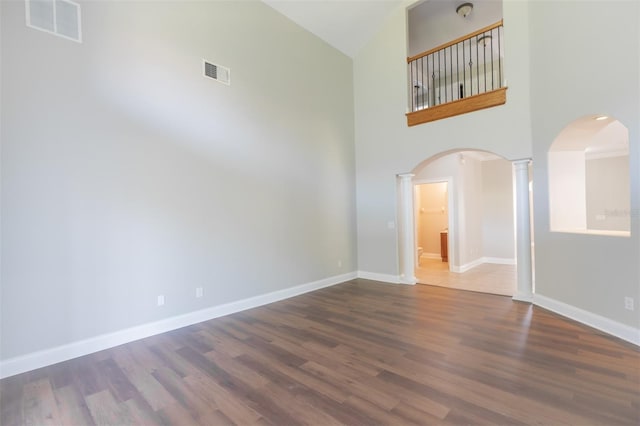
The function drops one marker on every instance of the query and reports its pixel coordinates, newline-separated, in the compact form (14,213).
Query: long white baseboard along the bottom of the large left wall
(69,351)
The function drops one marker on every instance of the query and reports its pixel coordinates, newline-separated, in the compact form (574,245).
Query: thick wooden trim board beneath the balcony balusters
(461,106)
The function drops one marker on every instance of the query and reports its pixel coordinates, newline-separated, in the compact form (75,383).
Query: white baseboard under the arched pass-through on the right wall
(622,331)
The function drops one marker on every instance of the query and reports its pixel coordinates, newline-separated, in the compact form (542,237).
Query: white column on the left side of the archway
(406,246)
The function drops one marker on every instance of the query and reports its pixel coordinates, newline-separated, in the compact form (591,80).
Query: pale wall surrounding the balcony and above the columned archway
(385,145)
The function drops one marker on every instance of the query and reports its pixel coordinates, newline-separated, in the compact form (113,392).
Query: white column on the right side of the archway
(524,292)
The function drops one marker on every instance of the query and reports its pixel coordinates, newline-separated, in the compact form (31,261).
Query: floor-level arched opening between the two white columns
(464,222)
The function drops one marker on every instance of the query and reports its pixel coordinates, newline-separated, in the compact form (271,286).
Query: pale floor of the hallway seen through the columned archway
(485,278)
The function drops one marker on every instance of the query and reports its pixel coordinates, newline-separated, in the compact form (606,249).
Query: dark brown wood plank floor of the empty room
(359,353)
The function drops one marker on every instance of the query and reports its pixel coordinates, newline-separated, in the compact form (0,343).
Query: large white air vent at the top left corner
(59,17)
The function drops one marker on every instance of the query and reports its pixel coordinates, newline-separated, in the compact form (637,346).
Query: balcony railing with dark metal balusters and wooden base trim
(463,75)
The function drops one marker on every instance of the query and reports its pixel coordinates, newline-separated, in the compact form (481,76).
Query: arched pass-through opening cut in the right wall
(589,185)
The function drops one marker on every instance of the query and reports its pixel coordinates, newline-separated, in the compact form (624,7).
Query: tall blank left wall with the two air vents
(126,174)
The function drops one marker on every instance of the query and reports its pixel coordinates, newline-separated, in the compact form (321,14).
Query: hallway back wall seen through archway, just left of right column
(498,228)
